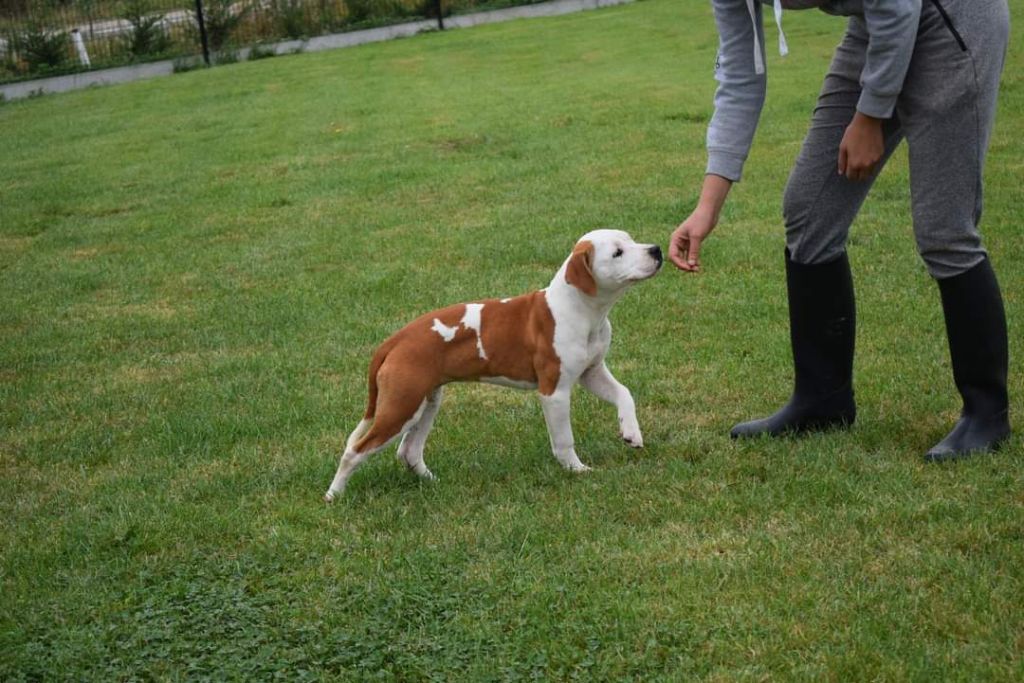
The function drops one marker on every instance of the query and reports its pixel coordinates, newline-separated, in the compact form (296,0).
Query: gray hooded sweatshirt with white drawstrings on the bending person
(892,29)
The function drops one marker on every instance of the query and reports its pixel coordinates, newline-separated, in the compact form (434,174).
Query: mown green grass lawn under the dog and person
(196,271)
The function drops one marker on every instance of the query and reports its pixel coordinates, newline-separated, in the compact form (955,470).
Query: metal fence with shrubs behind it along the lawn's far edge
(40,38)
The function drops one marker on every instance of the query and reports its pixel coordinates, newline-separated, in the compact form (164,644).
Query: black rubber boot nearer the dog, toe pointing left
(823,326)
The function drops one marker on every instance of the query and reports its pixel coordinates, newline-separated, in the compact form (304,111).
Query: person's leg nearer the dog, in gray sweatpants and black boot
(819,207)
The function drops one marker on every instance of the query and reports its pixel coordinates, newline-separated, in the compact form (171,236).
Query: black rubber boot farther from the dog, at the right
(976,326)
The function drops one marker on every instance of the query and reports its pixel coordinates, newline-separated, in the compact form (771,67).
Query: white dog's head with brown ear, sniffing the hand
(609,262)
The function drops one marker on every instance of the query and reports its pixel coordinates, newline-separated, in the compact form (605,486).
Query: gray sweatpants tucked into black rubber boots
(946,112)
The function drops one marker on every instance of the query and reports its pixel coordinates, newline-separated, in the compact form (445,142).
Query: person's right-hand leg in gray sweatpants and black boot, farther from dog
(949,109)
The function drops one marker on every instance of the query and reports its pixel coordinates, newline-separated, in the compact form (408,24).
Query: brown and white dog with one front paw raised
(546,340)
